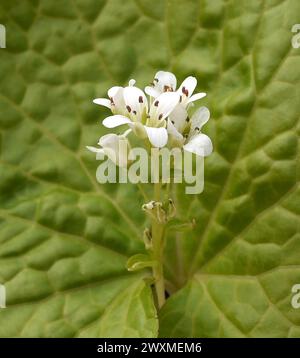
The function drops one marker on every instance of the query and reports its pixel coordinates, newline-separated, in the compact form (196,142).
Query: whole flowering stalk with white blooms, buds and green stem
(166,124)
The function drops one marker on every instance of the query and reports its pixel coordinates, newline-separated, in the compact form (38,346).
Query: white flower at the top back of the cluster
(166,82)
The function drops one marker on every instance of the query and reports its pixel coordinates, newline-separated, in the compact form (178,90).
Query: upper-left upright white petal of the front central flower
(135,100)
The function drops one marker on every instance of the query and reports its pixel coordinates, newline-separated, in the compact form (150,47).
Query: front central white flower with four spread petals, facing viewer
(148,122)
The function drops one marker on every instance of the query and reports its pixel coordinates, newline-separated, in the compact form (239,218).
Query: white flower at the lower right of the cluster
(186,132)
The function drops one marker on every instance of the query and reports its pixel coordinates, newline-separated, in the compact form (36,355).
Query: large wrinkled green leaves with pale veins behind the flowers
(65,239)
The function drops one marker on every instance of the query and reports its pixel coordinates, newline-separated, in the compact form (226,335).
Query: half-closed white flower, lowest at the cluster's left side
(115,147)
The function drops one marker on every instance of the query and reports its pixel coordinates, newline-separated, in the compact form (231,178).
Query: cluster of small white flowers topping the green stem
(162,119)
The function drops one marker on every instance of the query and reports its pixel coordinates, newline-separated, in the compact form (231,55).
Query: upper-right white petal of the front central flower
(163,105)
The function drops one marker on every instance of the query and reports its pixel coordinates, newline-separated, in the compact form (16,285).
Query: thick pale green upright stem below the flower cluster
(158,245)
